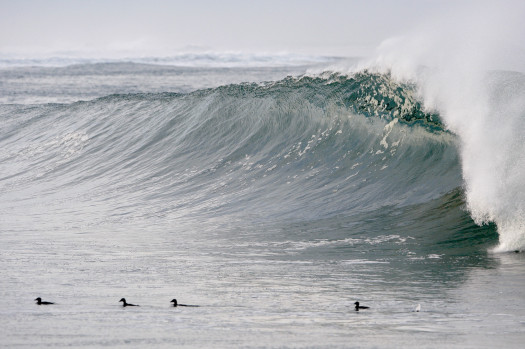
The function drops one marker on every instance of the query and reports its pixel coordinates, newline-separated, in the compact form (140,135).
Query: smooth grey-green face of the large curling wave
(358,153)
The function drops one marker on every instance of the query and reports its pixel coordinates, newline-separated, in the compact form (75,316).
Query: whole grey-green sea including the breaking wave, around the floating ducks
(273,195)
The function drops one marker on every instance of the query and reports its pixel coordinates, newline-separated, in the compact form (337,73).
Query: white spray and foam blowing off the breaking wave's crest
(458,66)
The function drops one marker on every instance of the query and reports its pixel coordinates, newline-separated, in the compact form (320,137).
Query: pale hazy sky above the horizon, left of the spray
(343,27)
